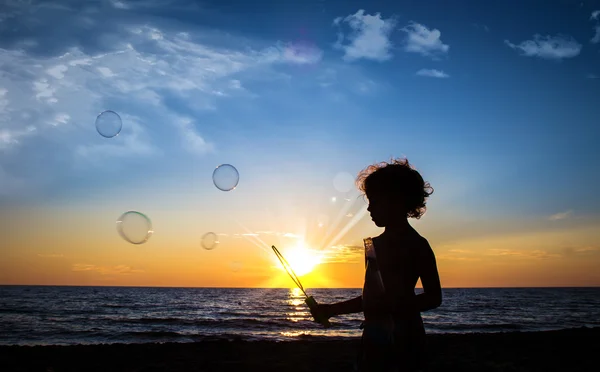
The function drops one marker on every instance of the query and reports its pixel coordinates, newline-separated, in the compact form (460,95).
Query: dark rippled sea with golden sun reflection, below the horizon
(48,315)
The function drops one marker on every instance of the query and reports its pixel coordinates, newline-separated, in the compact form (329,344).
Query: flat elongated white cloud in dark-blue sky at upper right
(548,47)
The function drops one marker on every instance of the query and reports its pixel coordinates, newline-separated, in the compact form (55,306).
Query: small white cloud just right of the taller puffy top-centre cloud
(422,40)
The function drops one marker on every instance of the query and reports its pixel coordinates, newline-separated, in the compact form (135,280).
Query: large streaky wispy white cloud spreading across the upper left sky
(149,65)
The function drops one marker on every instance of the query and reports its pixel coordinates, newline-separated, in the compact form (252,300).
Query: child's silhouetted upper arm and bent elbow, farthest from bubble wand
(430,279)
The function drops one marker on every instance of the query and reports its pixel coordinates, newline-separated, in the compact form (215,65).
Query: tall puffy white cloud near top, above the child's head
(369,38)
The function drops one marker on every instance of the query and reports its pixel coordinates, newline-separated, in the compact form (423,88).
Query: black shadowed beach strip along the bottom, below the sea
(565,350)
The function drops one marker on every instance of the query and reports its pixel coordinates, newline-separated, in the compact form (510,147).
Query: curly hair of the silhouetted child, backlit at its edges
(396,177)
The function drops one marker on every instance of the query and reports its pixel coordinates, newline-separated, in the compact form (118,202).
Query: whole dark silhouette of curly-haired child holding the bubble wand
(393,332)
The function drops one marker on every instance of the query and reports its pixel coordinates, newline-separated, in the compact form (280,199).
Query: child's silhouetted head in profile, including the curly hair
(395,190)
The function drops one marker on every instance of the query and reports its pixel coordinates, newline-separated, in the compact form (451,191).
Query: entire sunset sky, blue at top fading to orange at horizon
(494,107)
